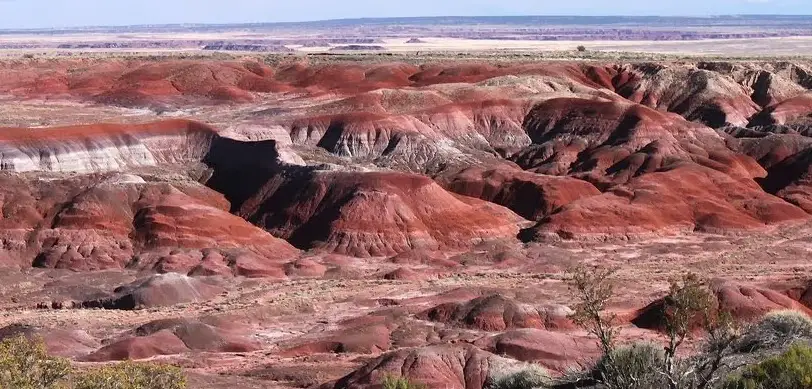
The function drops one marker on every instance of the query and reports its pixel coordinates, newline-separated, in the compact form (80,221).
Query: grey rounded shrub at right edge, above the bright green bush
(777,329)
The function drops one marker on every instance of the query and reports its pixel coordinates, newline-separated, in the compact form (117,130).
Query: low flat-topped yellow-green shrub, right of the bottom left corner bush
(130,375)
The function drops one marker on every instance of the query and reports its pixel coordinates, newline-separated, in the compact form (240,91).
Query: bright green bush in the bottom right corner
(791,370)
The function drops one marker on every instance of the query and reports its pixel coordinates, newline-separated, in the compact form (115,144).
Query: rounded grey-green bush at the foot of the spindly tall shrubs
(638,366)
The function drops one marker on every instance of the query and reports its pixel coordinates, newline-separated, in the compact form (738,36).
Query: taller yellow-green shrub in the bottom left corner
(25,364)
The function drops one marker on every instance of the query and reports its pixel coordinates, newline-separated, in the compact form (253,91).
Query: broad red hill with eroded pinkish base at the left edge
(108,222)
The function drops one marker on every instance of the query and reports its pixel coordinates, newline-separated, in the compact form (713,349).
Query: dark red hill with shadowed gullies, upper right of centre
(620,140)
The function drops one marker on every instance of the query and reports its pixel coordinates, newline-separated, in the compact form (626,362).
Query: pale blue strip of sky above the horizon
(64,13)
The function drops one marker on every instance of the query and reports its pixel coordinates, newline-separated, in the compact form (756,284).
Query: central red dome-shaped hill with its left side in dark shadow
(364,214)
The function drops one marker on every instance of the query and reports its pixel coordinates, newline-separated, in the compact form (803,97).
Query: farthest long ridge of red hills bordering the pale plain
(139,82)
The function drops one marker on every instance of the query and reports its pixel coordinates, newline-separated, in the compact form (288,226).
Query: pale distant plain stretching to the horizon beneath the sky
(733,36)
